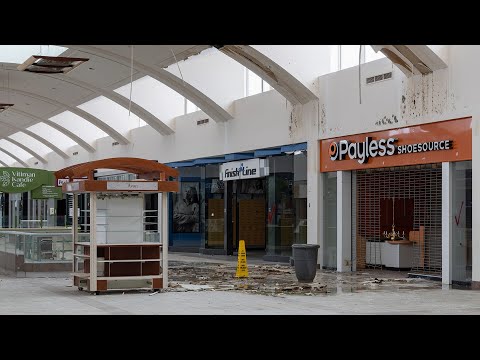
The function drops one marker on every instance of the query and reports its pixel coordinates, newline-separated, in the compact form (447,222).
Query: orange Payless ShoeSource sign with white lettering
(421,144)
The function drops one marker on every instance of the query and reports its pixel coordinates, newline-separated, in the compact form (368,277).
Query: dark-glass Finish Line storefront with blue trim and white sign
(258,196)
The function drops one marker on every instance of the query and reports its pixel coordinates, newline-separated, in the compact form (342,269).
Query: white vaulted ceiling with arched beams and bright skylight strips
(109,95)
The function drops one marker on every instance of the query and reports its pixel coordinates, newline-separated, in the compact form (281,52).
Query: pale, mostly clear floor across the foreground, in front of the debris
(58,296)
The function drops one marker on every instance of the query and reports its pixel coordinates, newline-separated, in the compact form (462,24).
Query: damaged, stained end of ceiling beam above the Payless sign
(412,59)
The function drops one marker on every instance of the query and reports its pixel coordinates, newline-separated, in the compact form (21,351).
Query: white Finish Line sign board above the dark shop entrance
(245,169)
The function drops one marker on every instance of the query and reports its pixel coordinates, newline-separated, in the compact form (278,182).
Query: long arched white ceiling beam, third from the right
(207,105)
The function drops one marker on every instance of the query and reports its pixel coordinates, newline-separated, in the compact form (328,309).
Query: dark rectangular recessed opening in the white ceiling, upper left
(50,64)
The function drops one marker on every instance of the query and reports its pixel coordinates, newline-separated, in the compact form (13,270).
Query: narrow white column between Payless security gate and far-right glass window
(447,194)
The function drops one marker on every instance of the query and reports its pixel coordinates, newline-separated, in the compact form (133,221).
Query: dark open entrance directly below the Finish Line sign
(248,207)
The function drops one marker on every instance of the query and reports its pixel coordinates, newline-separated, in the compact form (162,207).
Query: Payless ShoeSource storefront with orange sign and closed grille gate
(400,199)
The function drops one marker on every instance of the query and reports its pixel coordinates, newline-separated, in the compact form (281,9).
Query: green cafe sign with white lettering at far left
(18,180)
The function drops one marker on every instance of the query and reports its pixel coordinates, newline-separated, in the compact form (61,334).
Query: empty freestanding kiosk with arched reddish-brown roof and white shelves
(114,247)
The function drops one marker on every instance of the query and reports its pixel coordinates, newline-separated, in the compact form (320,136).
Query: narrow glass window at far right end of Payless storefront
(462,222)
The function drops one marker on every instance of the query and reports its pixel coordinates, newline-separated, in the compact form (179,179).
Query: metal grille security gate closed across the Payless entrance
(410,199)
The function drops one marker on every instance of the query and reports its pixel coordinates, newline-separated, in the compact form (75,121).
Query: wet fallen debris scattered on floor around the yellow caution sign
(280,280)
